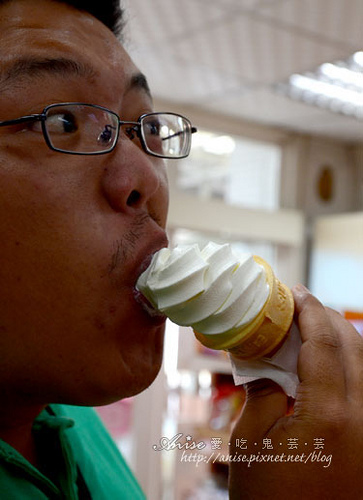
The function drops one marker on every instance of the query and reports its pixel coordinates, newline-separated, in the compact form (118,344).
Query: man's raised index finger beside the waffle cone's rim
(320,360)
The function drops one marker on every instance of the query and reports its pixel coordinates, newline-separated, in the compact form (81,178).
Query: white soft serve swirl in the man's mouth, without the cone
(212,290)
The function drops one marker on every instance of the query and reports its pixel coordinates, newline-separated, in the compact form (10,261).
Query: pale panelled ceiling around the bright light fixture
(225,56)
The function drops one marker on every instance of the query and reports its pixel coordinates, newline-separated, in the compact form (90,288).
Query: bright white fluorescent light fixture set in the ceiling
(336,86)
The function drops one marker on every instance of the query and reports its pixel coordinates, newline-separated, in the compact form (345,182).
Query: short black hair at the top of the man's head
(109,12)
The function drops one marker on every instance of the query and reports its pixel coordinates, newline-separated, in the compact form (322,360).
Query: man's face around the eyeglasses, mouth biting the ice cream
(76,230)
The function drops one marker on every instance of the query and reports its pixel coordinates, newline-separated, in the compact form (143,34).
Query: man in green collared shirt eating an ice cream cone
(83,207)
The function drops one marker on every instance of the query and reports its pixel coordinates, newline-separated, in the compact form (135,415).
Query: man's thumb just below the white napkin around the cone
(265,404)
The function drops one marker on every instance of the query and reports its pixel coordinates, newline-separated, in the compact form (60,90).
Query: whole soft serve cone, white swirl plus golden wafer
(225,298)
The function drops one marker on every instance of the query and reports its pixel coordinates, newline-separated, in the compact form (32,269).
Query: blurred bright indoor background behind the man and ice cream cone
(275,88)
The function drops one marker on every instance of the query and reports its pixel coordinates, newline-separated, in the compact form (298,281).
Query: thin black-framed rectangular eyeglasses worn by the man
(88,129)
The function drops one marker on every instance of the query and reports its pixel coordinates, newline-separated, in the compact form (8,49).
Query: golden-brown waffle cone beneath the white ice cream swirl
(262,336)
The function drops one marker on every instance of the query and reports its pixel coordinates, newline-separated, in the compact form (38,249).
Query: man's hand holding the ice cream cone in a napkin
(328,413)
